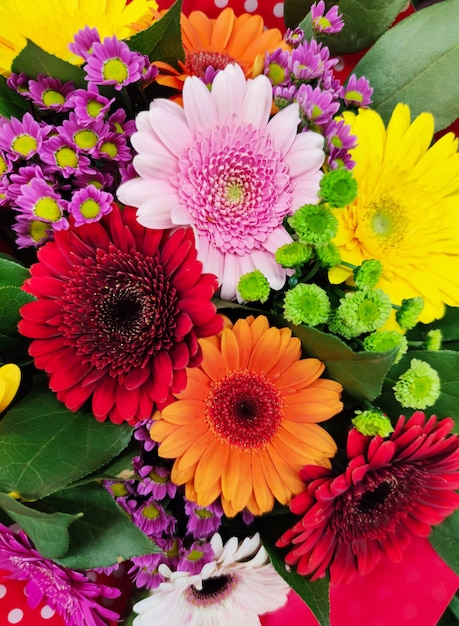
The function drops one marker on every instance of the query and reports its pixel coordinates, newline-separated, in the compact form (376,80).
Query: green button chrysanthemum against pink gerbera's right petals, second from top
(314,224)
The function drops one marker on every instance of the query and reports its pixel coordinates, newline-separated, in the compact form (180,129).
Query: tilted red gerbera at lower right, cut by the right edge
(390,490)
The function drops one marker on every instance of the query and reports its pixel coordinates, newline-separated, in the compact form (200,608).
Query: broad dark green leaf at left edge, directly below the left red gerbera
(44,446)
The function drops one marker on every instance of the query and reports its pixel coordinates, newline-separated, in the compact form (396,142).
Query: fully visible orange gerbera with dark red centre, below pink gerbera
(247,421)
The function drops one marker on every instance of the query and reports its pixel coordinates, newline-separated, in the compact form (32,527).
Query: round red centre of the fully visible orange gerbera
(244,409)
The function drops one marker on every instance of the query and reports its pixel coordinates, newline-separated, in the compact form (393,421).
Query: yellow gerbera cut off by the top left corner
(52,24)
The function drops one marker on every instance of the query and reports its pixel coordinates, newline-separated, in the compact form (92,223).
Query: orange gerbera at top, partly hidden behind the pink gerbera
(218,42)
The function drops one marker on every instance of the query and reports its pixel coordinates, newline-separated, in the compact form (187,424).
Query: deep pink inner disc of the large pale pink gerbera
(235,187)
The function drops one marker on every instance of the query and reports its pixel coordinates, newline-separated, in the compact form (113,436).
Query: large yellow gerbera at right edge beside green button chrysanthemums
(406,213)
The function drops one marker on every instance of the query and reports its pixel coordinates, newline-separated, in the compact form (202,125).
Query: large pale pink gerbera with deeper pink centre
(223,166)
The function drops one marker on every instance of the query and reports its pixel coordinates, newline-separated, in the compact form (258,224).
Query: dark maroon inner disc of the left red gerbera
(119,310)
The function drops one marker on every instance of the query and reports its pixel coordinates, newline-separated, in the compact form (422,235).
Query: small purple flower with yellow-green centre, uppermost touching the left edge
(22,138)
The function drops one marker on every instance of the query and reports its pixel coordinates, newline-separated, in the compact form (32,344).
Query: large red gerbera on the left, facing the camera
(118,313)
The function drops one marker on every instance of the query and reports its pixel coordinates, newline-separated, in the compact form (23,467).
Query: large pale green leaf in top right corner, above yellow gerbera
(401,69)
